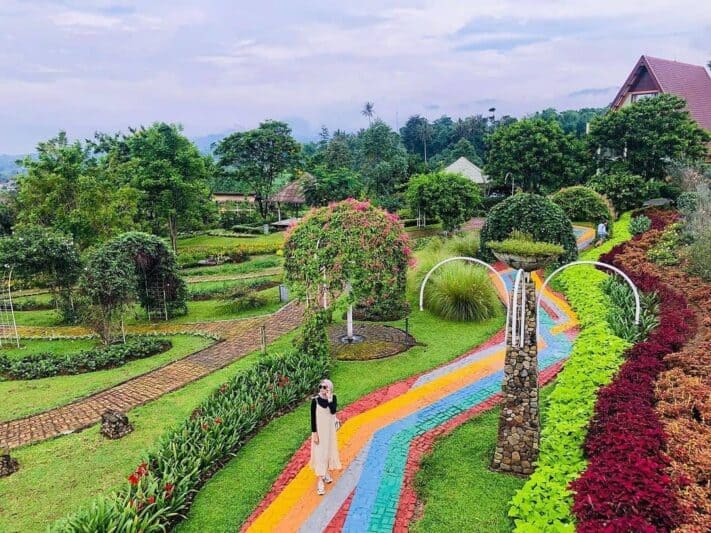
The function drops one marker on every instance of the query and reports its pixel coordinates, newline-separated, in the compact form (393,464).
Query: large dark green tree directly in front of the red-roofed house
(645,136)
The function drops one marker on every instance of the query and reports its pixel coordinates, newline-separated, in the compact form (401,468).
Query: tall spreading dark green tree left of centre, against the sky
(258,156)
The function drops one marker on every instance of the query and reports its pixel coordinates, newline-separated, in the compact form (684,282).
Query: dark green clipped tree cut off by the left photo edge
(46,257)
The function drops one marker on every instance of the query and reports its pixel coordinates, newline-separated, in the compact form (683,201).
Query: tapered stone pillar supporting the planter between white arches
(519,423)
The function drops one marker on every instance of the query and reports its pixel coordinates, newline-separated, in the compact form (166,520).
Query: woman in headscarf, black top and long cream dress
(324,444)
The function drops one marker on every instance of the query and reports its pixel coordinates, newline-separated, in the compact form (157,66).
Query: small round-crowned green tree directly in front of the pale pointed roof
(450,197)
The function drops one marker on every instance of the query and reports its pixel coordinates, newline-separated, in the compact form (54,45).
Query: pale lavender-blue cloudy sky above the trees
(215,65)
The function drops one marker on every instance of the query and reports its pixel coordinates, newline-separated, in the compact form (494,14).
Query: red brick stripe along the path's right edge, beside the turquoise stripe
(423,444)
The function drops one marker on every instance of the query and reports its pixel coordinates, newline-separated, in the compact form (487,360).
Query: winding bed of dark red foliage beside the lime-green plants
(626,486)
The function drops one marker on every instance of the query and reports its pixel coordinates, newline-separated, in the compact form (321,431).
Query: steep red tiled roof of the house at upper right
(690,82)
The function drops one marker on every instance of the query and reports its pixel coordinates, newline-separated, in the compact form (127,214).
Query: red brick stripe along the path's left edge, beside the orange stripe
(384,394)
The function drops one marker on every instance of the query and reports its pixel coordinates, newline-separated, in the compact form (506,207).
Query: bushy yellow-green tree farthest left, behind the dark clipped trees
(67,188)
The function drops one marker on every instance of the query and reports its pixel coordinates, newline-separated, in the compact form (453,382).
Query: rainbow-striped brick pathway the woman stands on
(384,435)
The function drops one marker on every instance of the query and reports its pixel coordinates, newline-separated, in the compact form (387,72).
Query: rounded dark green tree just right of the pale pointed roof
(536,154)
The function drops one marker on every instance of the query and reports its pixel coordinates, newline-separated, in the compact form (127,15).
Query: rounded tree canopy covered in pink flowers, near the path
(352,245)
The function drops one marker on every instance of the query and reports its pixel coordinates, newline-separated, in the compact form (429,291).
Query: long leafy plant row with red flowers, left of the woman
(161,488)
